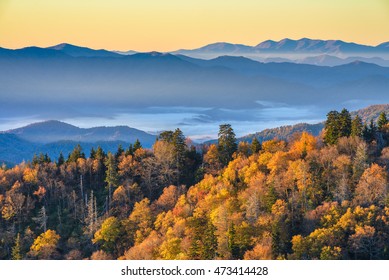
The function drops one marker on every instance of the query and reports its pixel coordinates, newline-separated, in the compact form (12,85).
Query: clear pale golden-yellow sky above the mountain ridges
(166,25)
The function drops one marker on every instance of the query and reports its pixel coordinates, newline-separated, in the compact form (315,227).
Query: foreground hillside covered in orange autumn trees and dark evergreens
(323,197)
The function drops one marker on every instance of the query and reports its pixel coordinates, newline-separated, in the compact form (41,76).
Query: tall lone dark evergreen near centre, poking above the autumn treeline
(226,143)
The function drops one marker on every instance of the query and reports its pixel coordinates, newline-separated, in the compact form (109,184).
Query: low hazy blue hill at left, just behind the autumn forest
(53,137)
